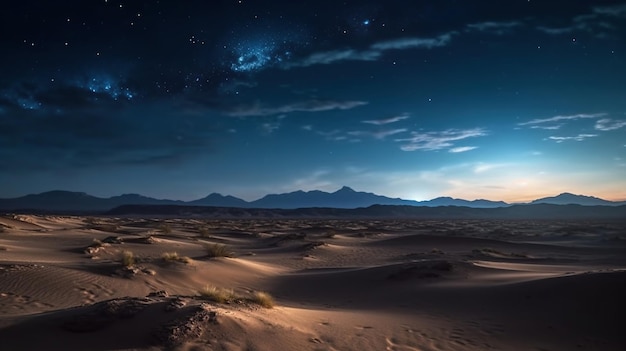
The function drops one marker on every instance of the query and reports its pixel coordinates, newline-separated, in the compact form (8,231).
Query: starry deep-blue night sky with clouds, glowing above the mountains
(510,100)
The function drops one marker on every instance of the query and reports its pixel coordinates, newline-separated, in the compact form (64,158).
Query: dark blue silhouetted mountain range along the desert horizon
(344,198)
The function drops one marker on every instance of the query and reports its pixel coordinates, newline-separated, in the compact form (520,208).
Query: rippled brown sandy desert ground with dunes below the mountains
(337,285)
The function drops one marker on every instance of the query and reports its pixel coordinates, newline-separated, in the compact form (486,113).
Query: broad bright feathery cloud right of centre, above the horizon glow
(430,141)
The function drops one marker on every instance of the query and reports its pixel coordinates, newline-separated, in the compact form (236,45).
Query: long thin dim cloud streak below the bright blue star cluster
(302,106)
